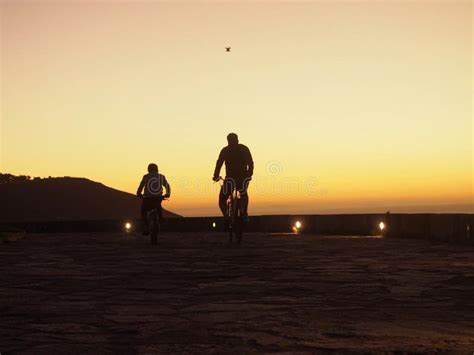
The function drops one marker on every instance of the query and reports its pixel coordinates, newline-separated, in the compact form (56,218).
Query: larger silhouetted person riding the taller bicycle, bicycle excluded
(239,170)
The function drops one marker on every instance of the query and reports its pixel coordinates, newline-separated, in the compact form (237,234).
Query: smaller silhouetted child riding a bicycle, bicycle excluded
(153,183)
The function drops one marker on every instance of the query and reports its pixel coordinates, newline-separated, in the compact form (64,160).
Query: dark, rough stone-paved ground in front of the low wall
(109,293)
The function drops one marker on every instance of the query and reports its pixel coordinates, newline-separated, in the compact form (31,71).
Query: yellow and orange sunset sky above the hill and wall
(346,106)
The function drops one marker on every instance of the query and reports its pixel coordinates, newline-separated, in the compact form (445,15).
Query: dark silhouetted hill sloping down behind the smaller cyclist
(28,200)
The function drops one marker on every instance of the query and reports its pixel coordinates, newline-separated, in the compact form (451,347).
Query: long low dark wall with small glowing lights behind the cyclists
(456,228)
